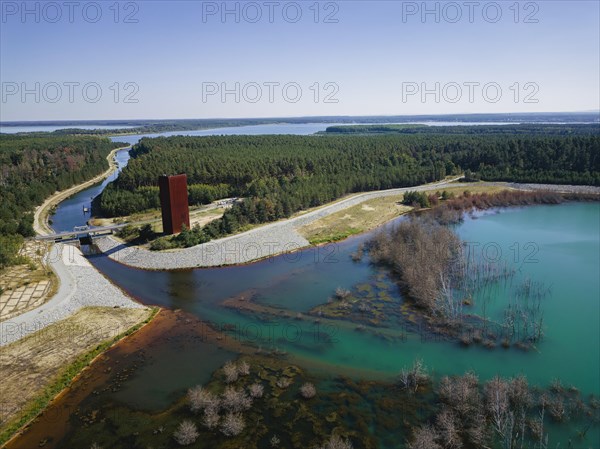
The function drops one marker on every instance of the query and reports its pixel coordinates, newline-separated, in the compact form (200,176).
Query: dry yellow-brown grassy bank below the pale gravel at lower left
(36,368)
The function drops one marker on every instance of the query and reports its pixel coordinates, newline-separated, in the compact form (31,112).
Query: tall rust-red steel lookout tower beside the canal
(174,203)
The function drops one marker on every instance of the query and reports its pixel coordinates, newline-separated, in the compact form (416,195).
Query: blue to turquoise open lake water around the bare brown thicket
(566,242)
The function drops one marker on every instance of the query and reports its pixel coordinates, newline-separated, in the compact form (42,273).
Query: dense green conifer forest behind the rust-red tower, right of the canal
(280,175)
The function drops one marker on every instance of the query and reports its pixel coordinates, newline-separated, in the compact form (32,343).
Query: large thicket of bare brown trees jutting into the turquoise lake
(441,275)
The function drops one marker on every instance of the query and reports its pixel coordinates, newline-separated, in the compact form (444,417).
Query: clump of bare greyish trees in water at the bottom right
(502,413)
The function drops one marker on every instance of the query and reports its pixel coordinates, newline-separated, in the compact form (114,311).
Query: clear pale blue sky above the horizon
(370,58)
